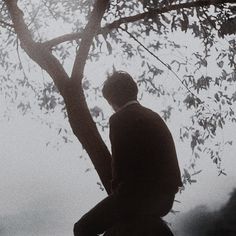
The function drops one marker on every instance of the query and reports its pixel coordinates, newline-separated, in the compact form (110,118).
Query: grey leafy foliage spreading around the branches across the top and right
(202,78)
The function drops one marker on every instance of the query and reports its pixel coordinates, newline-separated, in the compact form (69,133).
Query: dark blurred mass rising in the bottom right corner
(201,221)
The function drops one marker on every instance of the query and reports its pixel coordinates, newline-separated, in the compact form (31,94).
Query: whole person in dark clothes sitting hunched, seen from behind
(145,169)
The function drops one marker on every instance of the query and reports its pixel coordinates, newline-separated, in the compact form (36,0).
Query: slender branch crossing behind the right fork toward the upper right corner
(130,19)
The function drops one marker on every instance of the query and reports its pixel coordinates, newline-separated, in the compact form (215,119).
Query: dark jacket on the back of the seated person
(143,150)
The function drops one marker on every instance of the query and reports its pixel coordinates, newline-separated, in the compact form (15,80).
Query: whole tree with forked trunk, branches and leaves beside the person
(97,23)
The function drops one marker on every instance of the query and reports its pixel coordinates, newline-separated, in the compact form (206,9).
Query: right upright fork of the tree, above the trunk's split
(89,32)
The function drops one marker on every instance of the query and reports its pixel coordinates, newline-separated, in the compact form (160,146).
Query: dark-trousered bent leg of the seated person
(119,207)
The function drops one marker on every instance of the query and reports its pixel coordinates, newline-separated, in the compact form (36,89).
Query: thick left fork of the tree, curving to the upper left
(36,51)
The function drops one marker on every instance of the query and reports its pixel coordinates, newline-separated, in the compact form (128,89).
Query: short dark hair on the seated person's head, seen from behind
(120,88)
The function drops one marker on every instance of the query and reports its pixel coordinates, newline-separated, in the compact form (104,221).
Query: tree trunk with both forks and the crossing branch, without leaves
(70,88)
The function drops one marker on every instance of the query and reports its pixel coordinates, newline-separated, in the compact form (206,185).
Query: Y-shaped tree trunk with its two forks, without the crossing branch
(79,116)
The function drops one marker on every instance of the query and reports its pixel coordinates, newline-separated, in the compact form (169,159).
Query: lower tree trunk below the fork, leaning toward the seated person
(86,131)
